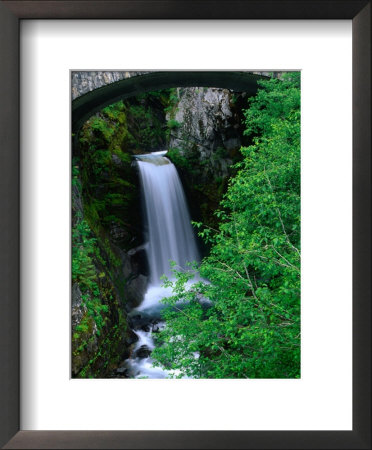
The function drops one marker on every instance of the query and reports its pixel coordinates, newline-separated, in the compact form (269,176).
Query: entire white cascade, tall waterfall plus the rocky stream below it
(169,238)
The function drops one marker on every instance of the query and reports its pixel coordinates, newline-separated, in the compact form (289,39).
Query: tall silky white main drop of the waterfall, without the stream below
(168,225)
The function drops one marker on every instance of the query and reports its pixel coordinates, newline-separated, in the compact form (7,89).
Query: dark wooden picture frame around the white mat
(11,12)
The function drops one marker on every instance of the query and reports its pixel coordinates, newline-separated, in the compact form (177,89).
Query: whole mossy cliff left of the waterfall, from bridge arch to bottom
(108,188)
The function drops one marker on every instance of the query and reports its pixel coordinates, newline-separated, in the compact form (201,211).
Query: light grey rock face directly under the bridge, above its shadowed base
(205,121)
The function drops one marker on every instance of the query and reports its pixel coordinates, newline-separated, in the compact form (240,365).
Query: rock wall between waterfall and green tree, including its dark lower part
(205,136)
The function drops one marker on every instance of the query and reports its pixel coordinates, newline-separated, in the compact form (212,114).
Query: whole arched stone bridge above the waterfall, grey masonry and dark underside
(92,91)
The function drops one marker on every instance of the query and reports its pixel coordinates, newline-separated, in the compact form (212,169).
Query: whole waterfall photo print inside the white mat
(185,225)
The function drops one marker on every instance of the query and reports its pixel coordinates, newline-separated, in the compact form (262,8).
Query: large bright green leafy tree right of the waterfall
(245,321)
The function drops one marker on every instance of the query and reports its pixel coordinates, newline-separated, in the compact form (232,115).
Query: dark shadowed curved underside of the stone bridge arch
(85,106)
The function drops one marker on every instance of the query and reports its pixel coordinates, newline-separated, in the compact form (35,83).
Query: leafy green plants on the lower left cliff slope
(92,260)
